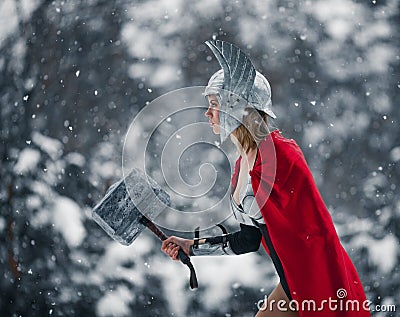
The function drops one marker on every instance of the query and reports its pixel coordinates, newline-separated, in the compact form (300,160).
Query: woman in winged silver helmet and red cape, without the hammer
(276,201)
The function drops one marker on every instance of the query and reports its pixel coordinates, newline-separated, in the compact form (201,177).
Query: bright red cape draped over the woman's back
(317,268)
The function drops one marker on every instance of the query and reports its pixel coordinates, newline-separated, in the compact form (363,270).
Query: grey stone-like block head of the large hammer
(121,211)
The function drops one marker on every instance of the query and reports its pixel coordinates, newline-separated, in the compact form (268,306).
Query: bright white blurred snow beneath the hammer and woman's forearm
(215,274)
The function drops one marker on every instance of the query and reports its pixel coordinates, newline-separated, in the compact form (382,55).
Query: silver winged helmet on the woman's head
(237,86)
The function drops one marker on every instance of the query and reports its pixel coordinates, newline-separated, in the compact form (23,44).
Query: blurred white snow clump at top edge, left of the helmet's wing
(167,18)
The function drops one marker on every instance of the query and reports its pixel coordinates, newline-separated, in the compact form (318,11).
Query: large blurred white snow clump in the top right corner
(351,21)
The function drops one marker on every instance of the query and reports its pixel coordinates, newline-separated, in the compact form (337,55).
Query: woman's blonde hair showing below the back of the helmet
(253,129)
